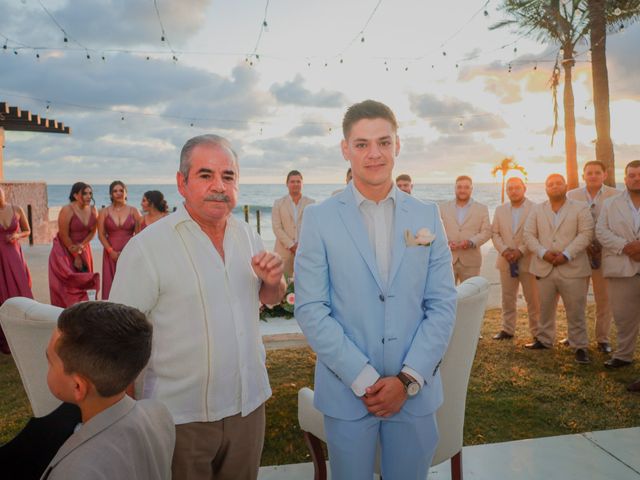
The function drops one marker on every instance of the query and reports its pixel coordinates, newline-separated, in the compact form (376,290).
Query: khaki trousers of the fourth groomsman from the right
(510,287)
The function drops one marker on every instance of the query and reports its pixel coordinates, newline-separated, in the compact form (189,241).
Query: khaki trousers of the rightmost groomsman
(625,302)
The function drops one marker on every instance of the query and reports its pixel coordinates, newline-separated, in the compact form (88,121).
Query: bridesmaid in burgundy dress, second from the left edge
(70,261)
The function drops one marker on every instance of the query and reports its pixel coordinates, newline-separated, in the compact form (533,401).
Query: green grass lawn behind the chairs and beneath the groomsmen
(514,393)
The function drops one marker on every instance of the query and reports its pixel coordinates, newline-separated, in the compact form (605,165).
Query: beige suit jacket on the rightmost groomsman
(614,230)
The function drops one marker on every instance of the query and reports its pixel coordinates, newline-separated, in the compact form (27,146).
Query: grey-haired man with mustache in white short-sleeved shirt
(200,274)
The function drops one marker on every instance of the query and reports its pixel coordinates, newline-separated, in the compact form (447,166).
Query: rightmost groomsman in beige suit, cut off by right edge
(618,230)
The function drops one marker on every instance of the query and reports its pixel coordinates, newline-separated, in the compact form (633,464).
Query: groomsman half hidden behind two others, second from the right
(594,173)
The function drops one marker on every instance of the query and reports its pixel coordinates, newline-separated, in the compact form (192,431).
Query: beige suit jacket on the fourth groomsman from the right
(503,237)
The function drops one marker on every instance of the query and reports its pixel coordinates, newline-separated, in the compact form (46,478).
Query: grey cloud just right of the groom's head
(451,115)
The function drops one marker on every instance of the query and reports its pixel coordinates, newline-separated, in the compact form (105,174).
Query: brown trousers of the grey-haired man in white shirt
(228,449)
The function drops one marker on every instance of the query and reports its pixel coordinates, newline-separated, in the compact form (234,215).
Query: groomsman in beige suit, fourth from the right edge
(514,259)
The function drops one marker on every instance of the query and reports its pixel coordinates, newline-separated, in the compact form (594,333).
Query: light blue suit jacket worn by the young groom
(351,318)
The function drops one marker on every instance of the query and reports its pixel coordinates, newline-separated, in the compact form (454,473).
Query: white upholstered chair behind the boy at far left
(28,326)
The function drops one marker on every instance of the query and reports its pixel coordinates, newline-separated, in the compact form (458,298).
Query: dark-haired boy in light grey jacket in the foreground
(98,349)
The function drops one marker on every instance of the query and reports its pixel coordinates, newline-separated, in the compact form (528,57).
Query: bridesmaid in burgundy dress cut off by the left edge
(15,279)
